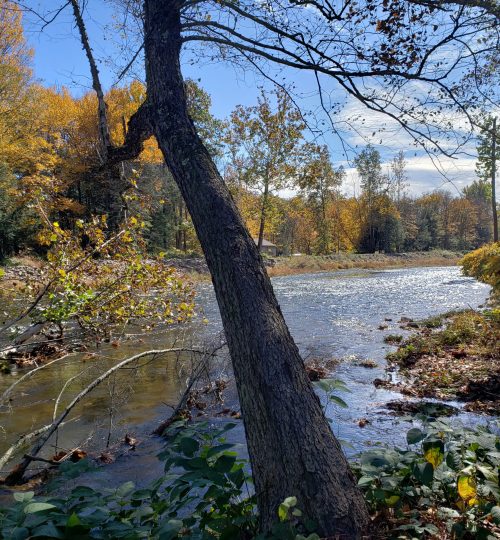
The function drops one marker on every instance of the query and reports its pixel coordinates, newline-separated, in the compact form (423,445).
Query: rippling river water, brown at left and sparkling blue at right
(334,314)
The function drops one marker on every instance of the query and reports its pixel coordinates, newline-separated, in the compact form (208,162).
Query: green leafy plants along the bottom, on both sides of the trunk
(443,485)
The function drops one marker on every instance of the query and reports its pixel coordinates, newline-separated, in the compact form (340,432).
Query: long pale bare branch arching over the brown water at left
(17,475)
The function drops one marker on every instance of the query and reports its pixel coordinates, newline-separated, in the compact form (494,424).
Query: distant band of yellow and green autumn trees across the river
(50,171)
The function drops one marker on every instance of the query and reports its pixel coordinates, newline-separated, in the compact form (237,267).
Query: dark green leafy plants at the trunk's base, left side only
(205,494)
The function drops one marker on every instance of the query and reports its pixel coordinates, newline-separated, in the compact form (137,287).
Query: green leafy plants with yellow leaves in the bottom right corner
(444,485)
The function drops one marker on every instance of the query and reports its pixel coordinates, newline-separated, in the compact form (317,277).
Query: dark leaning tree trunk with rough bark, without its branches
(292,449)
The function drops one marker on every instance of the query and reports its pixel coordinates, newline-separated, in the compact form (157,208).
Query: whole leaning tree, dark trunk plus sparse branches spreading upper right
(402,59)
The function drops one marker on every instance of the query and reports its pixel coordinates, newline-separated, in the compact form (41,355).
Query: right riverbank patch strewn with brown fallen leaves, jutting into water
(455,356)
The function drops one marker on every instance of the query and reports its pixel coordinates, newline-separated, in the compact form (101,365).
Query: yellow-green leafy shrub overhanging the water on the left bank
(99,282)
